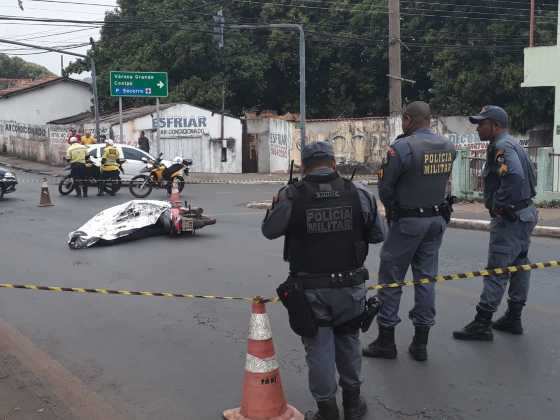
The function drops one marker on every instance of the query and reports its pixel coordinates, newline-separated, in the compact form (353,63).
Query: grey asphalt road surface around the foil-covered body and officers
(155,358)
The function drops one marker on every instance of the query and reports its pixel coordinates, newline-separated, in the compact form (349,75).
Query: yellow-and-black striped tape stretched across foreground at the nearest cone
(436,279)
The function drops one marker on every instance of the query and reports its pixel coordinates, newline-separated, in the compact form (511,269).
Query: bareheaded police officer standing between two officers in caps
(412,186)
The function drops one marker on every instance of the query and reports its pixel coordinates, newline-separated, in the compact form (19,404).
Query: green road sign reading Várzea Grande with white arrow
(139,84)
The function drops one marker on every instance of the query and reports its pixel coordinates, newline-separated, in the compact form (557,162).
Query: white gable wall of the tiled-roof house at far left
(49,103)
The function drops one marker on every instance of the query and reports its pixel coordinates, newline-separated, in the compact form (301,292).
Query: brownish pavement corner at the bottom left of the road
(23,396)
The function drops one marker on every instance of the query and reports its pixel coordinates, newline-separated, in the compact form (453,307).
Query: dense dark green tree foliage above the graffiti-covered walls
(458,63)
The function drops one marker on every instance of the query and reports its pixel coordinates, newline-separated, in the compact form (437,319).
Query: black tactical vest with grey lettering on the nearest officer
(326,230)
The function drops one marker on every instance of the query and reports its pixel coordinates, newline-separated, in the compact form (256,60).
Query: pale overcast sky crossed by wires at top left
(40,34)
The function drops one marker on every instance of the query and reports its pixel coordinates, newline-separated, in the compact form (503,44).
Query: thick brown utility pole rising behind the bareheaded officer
(395,77)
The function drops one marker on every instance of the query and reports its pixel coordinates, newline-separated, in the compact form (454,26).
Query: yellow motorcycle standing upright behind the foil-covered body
(160,176)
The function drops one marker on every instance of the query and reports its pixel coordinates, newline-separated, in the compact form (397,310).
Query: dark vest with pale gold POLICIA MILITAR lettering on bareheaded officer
(424,184)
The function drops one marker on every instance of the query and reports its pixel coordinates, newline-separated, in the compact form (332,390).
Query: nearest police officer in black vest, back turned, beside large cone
(328,222)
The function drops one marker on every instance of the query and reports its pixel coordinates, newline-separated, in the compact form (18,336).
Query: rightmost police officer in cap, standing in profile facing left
(509,186)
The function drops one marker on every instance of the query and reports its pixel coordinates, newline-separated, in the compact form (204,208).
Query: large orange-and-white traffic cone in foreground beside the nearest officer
(263,396)
